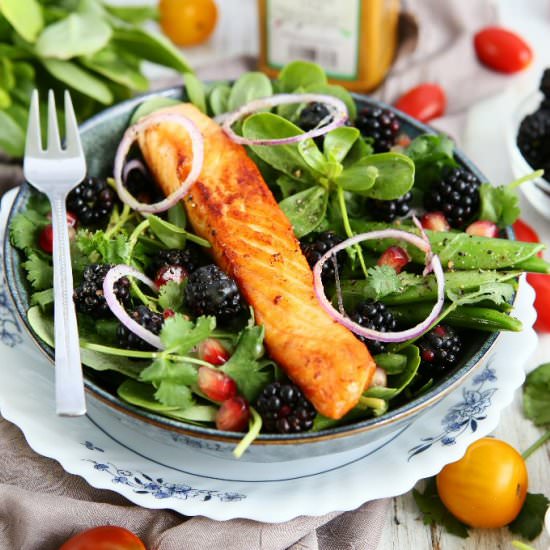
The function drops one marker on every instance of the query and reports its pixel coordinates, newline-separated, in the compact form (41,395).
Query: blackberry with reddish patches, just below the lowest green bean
(439,349)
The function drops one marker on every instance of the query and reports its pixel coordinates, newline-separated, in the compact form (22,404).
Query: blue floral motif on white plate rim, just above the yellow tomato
(465,415)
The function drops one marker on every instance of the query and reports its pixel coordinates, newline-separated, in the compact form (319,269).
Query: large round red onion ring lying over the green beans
(432,263)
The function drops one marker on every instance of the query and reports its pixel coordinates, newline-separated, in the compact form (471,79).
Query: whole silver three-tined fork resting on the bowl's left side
(55,171)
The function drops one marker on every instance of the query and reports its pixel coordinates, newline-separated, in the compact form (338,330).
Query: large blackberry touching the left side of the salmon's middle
(210,291)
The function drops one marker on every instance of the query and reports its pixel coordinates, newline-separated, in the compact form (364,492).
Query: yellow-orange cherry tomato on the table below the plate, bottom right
(487,486)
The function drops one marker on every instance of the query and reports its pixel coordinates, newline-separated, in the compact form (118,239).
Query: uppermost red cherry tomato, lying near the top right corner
(502,50)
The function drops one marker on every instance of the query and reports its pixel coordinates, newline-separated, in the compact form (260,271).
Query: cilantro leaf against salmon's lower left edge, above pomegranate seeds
(243,366)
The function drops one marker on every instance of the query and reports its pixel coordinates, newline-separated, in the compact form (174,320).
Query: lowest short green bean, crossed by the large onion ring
(473,317)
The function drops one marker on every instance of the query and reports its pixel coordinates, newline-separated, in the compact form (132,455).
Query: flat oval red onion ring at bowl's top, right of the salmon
(337,111)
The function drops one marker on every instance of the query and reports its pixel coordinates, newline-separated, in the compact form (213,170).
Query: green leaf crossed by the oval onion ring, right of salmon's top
(285,158)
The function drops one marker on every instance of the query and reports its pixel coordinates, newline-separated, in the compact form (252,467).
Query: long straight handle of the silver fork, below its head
(69,386)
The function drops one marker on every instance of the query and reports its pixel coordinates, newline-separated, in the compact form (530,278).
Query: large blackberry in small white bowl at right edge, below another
(534,138)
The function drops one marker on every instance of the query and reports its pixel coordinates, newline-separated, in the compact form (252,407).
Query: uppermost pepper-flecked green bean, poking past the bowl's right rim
(462,251)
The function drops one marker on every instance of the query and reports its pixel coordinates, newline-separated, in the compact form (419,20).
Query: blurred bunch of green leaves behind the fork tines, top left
(93,49)
